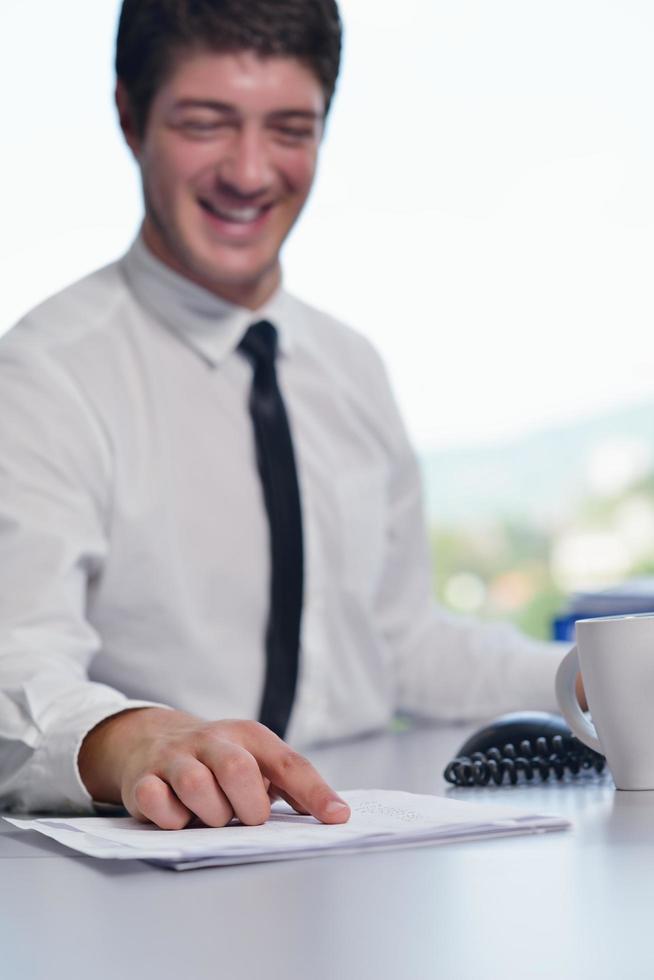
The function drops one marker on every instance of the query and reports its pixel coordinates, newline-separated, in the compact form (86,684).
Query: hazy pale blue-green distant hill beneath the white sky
(540,477)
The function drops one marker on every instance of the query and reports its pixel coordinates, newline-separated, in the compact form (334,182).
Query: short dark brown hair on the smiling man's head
(152,33)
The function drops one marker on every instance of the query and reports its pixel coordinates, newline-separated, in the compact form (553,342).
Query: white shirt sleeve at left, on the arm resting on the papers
(55,499)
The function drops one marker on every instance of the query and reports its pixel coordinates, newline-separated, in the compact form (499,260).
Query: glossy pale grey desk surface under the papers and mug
(565,905)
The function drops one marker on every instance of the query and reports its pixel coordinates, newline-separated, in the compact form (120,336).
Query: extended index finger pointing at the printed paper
(294,775)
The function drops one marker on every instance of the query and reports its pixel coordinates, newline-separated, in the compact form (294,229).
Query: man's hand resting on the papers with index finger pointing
(168,767)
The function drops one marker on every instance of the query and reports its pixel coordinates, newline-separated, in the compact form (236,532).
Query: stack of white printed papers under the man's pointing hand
(380,819)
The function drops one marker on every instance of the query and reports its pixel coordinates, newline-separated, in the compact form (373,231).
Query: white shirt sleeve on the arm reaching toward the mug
(447,666)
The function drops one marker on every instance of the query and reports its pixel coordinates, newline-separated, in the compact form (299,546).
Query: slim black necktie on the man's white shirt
(276,464)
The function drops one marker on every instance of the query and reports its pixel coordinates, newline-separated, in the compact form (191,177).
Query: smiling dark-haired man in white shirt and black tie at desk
(208,506)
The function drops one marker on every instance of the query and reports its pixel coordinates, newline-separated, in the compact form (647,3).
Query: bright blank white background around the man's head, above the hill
(485,210)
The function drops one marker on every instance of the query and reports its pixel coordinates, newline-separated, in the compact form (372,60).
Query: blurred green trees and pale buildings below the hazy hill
(523,571)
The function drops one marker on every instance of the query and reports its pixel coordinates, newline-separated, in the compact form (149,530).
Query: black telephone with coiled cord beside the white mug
(519,744)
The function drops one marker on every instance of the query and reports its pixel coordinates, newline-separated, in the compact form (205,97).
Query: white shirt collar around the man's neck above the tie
(208,324)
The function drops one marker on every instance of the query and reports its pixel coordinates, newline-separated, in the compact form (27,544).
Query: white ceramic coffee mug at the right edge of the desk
(615,655)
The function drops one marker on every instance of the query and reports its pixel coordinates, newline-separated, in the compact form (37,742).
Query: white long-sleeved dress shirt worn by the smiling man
(134,540)
